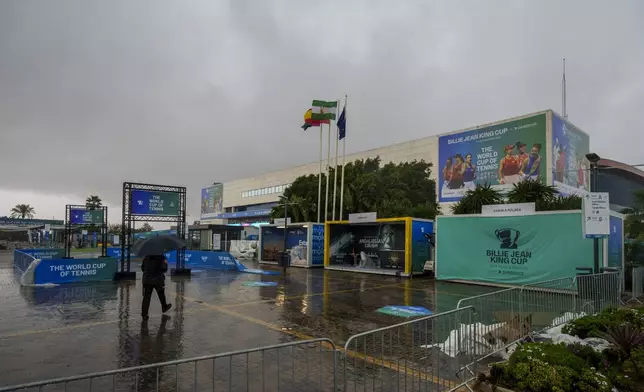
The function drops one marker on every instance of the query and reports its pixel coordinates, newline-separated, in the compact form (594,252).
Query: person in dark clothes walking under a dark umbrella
(154,267)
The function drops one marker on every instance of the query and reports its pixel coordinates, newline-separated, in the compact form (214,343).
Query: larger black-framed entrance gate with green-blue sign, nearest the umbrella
(151,203)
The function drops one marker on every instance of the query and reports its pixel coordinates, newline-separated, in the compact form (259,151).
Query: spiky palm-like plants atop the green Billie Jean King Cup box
(529,190)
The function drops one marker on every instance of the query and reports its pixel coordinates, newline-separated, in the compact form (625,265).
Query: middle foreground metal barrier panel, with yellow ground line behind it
(417,355)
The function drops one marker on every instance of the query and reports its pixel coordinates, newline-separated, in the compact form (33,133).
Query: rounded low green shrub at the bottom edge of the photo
(546,367)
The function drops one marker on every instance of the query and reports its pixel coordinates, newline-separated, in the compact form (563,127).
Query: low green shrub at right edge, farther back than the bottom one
(601,323)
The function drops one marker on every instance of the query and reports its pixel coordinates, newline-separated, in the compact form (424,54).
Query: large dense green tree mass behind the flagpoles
(392,190)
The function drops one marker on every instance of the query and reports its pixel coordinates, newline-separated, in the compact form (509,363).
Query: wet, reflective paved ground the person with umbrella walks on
(81,328)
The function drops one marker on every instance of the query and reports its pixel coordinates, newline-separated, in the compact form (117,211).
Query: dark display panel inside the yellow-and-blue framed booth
(377,245)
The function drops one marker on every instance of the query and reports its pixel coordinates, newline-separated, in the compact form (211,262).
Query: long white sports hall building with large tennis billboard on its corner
(538,145)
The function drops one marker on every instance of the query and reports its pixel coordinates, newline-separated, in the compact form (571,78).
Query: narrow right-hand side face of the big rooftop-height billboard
(570,168)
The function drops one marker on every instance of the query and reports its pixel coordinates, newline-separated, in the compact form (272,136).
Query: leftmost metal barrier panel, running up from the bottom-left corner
(308,365)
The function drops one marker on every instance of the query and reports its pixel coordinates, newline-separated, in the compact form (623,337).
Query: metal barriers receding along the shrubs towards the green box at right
(503,318)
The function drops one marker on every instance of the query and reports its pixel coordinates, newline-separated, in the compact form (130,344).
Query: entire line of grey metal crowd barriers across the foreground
(441,352)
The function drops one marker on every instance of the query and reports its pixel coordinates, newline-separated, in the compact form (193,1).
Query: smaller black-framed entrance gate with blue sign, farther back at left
(80,217)
